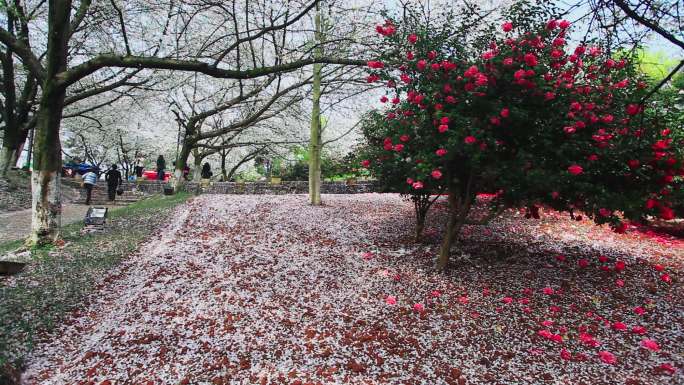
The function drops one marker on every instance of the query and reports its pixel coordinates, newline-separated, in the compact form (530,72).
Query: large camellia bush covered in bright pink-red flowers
(521,111)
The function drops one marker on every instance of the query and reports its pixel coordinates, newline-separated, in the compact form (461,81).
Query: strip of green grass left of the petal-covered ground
(58,278)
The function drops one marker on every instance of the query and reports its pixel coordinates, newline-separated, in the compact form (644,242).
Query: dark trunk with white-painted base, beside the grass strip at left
(45,183)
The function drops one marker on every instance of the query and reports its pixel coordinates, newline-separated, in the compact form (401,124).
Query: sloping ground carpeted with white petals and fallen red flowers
(268,290)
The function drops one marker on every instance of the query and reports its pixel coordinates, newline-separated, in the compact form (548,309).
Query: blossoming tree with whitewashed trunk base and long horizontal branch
(211,51)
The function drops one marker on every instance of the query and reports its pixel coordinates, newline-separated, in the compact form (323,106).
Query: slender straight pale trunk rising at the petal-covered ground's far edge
(315,142)
